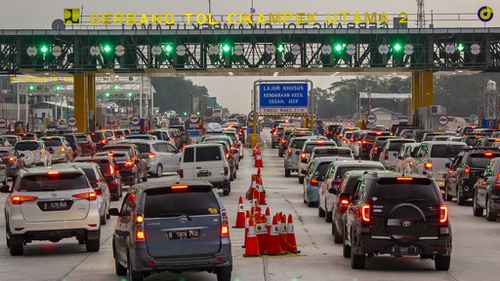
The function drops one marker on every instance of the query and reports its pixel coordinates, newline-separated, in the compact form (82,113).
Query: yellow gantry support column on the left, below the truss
(85,101)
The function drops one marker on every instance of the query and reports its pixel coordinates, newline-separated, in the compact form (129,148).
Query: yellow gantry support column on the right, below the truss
(422,93)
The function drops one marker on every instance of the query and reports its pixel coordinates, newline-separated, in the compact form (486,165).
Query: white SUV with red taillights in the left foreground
(51,204)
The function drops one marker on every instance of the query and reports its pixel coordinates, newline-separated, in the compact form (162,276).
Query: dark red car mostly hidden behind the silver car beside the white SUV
(111,174)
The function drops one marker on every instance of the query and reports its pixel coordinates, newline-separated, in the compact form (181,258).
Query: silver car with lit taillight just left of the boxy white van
(161,156)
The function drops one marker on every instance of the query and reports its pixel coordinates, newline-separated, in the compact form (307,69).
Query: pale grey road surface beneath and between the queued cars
(474,257)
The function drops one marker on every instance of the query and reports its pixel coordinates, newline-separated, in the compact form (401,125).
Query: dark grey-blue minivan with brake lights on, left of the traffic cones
(177,226)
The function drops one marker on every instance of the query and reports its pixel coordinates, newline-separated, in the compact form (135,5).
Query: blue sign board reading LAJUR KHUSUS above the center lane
(283,98)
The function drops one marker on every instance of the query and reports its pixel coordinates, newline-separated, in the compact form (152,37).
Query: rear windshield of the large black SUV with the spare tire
(399,192)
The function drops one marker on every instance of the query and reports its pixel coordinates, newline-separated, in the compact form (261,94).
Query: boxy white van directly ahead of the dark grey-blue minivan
(206,162)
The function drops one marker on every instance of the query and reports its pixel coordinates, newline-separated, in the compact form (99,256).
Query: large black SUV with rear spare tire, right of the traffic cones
(399,215)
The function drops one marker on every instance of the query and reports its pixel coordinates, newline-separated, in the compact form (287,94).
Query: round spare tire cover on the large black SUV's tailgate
(405,223)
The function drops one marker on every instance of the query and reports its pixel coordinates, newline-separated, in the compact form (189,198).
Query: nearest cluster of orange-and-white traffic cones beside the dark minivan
(263,237)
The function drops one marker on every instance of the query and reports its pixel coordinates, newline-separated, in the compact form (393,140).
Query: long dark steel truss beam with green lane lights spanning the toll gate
(302,50)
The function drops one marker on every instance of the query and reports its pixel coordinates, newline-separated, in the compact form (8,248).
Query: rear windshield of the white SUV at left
(65,181)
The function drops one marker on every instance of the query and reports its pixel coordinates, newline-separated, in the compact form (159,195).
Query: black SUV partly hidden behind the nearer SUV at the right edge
(464,171)
